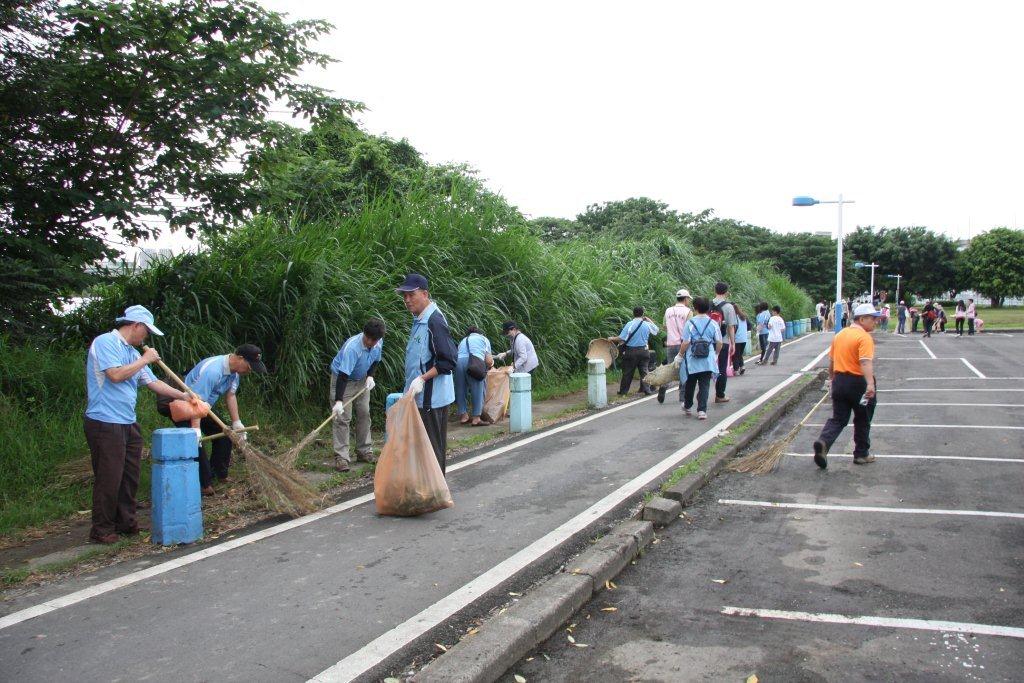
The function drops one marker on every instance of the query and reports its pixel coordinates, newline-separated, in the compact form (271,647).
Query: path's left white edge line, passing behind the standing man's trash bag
(134,578)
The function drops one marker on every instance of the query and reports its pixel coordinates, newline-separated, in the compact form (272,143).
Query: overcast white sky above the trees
(912,109)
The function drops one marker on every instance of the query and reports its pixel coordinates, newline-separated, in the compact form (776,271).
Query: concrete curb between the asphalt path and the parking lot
(505,639)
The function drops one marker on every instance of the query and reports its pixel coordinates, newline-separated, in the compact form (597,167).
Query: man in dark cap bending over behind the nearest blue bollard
(210,379)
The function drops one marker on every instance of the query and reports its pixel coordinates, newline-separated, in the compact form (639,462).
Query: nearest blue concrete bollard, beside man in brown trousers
(178,508)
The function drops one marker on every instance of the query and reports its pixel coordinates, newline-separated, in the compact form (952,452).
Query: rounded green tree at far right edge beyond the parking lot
(994,265)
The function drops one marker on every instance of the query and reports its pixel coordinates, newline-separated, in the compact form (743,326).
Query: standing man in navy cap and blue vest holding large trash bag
(431,359)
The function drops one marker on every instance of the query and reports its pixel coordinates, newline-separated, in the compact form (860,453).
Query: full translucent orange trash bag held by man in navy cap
(408,481)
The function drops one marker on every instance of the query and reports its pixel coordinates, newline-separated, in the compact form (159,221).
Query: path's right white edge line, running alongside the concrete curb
(377,651)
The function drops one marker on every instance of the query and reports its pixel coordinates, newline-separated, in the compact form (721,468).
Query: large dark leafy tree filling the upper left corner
(119,118)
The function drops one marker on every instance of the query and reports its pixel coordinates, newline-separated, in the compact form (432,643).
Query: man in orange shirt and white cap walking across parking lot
(851,372)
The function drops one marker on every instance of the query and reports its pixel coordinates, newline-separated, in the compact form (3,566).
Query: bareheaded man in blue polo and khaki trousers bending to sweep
(353,372)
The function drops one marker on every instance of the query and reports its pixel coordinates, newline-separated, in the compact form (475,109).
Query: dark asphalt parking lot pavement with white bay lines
(910,569)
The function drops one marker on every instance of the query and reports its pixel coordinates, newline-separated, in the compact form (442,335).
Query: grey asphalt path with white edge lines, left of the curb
(351,587)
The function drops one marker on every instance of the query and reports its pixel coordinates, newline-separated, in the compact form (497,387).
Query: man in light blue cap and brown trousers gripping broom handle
(114,370)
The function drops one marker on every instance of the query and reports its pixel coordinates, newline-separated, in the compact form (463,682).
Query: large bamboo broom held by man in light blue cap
(282,489)
